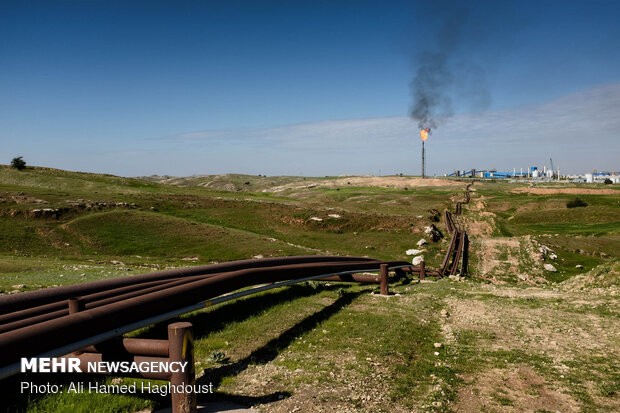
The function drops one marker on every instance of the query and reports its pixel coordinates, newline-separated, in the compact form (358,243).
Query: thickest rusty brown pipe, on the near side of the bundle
(40,338)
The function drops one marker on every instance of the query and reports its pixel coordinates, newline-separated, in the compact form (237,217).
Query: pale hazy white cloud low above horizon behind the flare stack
(580,131)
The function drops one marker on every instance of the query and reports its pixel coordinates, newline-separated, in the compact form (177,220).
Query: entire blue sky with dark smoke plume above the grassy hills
(313,88)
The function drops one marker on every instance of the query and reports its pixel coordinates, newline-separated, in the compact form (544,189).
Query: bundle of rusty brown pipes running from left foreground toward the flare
(40,322)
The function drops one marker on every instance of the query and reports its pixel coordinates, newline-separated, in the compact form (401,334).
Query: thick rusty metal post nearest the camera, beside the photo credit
(181,340)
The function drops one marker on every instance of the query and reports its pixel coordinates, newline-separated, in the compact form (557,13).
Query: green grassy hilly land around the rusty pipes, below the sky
(513,337)
